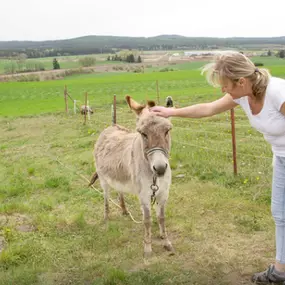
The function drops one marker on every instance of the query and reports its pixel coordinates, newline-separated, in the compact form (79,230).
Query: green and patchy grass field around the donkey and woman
(51,224)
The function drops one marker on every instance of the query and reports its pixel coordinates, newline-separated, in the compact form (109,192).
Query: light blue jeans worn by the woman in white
(278,206)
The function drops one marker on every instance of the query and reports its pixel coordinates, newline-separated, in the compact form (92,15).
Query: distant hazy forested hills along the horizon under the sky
(111,45)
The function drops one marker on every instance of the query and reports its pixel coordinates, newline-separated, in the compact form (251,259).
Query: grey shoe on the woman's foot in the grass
(268,276)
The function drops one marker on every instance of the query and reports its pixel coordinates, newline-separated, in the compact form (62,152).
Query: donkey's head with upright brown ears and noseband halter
(154,135)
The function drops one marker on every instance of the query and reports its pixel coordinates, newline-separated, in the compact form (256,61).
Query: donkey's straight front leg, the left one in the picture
(147,228)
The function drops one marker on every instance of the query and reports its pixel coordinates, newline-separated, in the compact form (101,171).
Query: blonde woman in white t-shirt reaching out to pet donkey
(262,97)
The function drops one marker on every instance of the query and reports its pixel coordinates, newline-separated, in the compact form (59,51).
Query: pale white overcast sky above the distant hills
(61,19)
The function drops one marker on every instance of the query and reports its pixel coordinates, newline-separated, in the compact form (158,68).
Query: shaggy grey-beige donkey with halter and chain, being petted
(137,163)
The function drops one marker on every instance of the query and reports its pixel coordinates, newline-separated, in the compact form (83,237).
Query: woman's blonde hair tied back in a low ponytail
(233,66)
